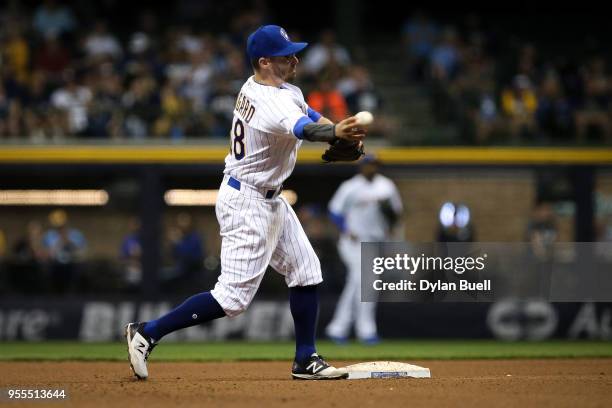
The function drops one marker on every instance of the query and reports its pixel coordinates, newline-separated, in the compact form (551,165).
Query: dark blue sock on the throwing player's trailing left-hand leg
(198,309)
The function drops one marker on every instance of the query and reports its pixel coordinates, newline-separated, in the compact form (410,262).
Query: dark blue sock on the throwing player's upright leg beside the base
(304,305)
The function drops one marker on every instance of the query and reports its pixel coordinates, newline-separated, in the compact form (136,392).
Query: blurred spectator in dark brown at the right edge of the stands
(594,114)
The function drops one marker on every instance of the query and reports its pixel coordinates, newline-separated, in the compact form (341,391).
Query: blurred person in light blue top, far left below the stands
(66,248)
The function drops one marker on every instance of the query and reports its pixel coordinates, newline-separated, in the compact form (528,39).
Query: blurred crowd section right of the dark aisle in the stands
(496,87)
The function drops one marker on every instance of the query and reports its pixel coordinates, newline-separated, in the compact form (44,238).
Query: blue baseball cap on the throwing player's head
(271,41)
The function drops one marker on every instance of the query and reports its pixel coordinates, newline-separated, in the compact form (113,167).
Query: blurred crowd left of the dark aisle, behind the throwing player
(61,77)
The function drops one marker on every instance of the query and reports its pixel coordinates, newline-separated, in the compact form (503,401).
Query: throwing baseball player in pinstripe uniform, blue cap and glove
(257,225)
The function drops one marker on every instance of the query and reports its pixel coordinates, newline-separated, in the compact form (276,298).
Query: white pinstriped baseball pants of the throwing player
(257,232)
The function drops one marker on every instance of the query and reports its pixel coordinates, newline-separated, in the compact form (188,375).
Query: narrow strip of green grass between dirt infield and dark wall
(244,351)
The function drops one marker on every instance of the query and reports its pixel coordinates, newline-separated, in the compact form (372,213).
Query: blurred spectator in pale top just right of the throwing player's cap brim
(326,55)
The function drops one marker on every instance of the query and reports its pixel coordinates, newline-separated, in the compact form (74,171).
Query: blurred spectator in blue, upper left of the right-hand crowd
(419,34)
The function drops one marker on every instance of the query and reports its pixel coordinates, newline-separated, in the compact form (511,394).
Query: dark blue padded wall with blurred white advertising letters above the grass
(98,320)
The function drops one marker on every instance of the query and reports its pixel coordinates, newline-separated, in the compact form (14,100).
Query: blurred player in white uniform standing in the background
(365,208)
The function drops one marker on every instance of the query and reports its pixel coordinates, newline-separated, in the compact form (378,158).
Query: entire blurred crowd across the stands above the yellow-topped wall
(63,75)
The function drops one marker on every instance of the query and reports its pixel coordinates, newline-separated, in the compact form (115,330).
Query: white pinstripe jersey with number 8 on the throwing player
(263,148)
